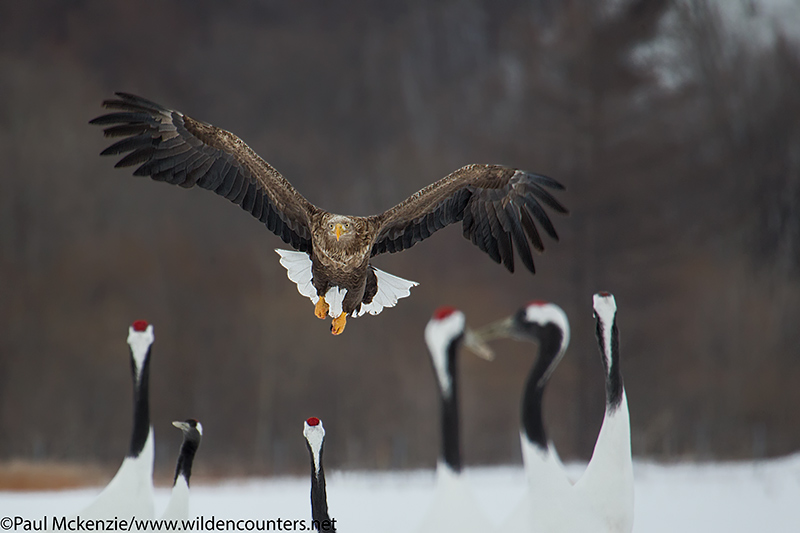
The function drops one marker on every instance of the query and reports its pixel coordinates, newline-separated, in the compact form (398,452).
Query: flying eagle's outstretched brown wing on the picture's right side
(498,206)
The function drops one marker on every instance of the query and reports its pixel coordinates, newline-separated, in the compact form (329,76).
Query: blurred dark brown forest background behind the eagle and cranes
(675,126)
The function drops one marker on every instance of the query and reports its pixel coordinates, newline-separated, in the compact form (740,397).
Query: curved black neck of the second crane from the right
(551,340)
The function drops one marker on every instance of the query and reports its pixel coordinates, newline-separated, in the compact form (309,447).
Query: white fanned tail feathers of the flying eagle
(390,288)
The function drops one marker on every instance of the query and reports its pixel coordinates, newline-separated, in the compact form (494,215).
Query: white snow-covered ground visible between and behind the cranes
(719,497)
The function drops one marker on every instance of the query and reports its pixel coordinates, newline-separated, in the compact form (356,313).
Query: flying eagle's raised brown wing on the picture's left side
(170,146)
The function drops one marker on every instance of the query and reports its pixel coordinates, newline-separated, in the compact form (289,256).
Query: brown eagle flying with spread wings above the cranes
(497,206)
